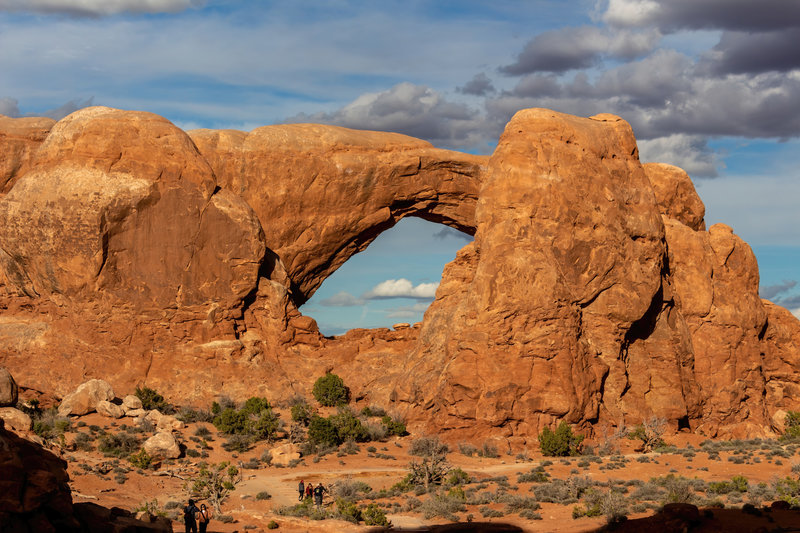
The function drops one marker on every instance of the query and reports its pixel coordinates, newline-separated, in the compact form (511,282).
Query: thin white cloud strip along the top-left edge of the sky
(94,8)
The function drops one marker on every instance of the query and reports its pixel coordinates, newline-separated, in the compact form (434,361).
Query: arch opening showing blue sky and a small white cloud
(392,281)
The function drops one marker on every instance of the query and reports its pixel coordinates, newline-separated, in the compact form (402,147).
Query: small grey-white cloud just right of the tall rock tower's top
(690,152)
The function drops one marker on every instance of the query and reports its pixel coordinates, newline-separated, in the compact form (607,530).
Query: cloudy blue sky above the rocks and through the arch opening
(712,86)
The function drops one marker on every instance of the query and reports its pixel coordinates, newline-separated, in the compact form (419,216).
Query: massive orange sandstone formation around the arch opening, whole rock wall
(592,291)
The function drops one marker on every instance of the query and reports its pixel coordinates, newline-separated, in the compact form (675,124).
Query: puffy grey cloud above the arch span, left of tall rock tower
(414,110)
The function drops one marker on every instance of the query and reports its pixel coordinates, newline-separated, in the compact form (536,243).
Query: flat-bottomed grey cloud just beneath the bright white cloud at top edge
(578,48)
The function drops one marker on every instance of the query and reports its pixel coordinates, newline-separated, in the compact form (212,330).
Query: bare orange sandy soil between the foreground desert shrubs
(128,488)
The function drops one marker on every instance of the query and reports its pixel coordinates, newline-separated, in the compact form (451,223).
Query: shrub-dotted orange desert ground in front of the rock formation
(732,483)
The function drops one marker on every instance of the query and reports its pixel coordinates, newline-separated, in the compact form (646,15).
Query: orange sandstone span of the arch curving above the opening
(323,193)
